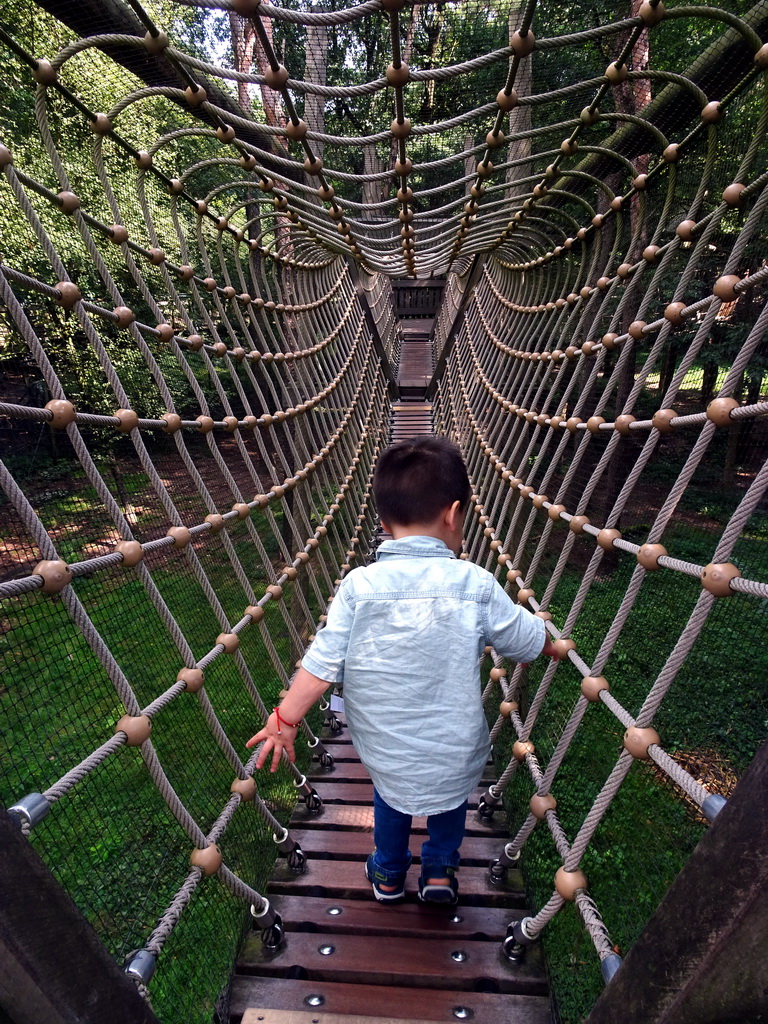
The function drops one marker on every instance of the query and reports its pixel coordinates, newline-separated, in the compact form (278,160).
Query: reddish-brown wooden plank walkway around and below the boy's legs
(349,960)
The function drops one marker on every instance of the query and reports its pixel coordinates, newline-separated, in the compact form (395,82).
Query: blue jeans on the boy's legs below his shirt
(393,833)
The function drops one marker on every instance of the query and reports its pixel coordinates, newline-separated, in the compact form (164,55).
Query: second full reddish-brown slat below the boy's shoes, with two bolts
(383,961)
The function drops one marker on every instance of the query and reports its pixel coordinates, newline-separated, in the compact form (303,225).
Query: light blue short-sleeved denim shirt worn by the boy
(406,637)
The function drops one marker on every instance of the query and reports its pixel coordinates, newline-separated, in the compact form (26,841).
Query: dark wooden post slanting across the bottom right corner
(703,958)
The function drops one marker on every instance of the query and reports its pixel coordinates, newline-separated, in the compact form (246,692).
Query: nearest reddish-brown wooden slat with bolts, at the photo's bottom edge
(394,1004)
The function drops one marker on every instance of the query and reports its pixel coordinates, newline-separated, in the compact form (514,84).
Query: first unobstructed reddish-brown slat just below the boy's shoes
(311,914)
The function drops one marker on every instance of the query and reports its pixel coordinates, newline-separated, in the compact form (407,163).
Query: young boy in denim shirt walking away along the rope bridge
(406,636)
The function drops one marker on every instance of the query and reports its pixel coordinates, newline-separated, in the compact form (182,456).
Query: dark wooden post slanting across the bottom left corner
(55,968)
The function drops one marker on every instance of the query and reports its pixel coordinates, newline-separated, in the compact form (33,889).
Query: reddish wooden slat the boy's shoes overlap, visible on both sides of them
(347,879)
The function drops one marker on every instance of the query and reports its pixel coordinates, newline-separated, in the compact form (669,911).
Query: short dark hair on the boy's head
(416,480)
